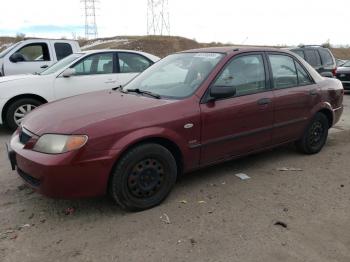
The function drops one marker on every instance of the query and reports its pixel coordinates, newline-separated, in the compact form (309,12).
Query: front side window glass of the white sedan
(95,64)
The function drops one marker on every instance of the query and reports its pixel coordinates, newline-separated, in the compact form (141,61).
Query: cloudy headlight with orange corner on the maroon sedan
(57,144)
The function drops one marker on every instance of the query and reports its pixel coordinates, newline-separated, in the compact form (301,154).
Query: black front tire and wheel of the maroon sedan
(143,177)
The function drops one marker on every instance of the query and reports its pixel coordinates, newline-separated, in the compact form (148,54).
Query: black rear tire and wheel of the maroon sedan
(315,135)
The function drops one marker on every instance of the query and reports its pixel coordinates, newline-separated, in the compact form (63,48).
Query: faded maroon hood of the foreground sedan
(73,115)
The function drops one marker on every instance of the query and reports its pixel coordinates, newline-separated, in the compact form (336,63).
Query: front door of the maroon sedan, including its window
(243,123)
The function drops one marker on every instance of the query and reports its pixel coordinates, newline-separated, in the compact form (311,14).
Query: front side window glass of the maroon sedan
(245,73)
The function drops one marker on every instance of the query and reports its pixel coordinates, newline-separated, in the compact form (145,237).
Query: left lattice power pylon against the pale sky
(90,18)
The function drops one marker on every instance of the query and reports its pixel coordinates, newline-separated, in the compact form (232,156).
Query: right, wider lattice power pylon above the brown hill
(158,17)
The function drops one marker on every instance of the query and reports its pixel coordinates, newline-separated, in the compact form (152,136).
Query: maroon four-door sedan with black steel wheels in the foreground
(189,110)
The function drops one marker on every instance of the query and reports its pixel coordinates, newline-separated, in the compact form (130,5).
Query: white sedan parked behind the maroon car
(76,74)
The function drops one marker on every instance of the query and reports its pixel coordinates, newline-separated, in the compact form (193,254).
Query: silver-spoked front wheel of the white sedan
(18,109)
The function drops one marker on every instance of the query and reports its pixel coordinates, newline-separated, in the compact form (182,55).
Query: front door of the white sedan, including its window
(92,73)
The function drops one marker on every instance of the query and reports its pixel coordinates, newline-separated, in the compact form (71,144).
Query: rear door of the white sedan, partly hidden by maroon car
(130,65)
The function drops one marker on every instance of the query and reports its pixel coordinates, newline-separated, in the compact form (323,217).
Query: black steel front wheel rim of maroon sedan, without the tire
(146,178)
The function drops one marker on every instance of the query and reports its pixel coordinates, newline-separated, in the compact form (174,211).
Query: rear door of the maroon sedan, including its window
(295,95)
